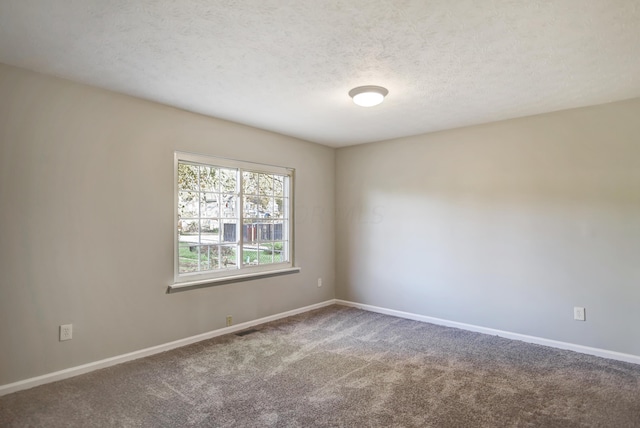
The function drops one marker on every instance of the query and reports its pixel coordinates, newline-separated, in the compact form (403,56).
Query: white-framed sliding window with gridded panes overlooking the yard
(234,219)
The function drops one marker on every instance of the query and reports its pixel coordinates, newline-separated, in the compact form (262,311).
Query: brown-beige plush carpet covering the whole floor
(343,367)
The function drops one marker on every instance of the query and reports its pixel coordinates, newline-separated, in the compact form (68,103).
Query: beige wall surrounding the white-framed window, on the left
(86,226)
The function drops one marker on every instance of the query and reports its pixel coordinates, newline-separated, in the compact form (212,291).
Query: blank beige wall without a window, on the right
(506,225)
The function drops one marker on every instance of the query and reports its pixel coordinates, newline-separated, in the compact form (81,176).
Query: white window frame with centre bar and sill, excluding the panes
(242,271)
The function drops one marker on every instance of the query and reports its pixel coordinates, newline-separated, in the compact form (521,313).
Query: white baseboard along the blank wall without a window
(604,353)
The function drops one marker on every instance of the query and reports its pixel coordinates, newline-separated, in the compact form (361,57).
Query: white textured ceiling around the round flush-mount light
(287,65)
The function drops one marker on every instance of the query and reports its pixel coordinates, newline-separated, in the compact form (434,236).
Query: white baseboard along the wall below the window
(89,367)
